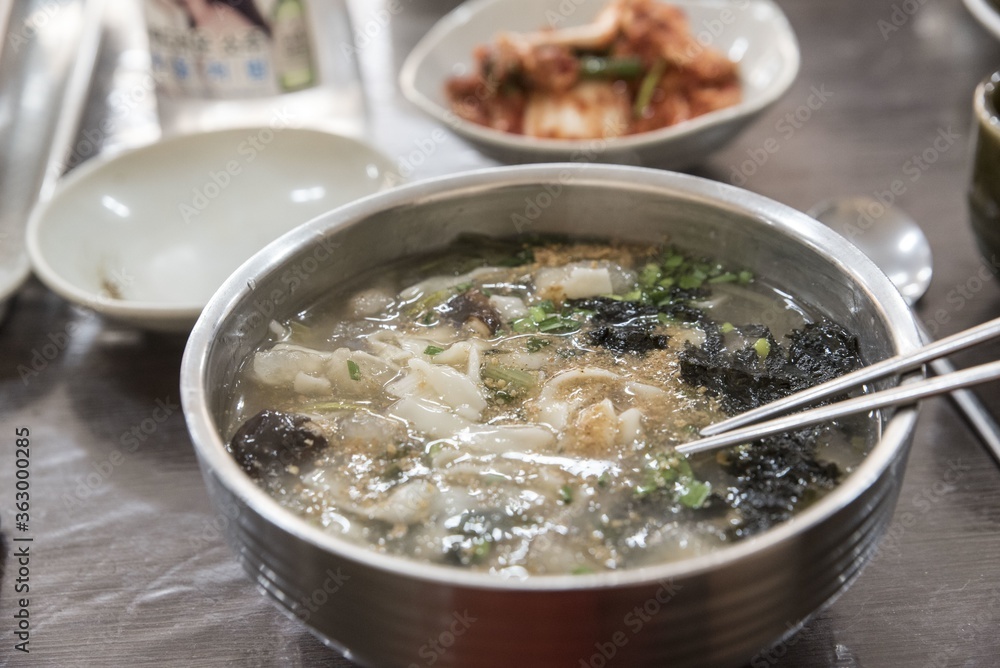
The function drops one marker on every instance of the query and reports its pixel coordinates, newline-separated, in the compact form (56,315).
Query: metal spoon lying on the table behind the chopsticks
(898,246)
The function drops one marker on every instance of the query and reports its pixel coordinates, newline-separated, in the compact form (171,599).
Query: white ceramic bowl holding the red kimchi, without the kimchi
(753,33)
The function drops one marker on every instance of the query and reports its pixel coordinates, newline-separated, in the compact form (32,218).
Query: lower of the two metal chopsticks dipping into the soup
(906,393)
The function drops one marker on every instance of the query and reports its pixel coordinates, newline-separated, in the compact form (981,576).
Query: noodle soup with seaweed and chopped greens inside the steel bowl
(513,407)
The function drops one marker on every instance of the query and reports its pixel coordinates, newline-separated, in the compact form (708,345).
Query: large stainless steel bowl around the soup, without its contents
(718,610)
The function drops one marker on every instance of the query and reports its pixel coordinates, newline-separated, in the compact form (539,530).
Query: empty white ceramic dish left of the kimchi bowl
(147,236)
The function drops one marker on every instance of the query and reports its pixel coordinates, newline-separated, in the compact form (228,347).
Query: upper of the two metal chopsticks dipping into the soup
(894,365)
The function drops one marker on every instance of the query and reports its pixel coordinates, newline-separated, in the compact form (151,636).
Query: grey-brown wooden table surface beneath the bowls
(127,564)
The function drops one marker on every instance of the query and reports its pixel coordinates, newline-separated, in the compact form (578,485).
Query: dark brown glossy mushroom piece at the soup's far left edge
(271,441)
